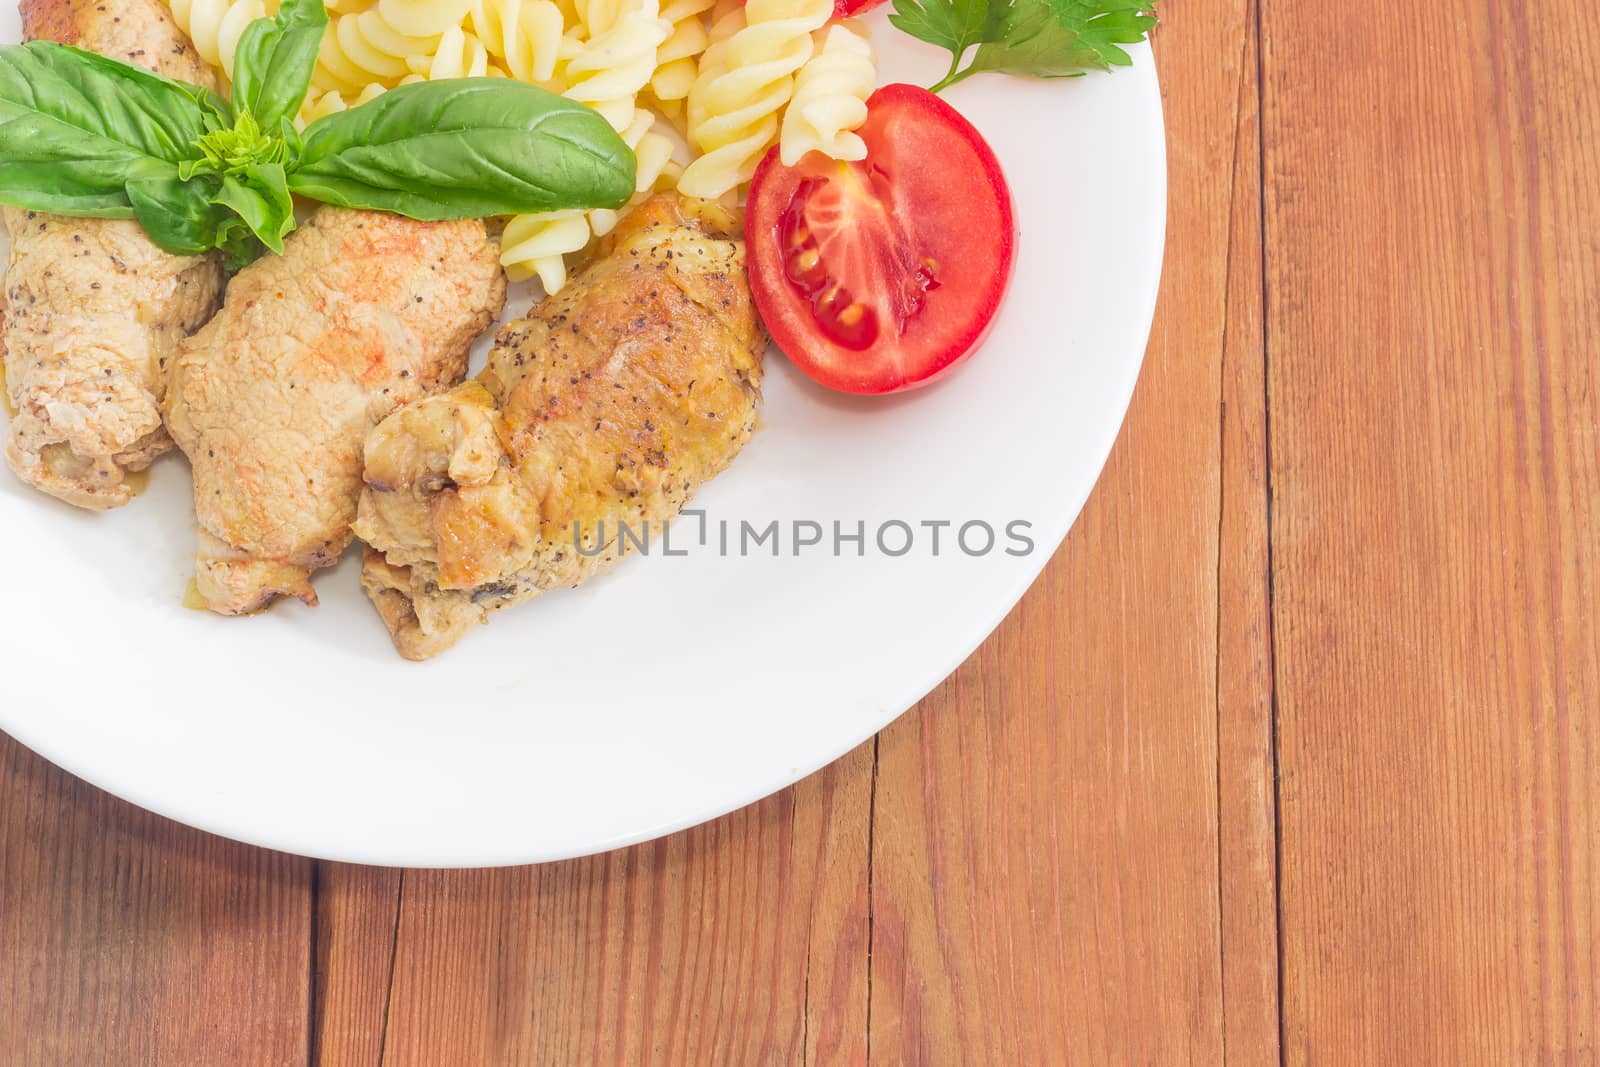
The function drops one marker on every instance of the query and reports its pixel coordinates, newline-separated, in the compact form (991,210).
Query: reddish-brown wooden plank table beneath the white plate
(1292,753)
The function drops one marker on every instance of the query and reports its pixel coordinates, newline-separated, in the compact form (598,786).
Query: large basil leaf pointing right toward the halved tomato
(465,148)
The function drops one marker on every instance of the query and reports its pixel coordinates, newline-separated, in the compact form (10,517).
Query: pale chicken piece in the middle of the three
(271,402)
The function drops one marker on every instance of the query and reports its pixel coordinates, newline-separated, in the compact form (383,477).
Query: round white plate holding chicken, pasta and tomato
(676,689)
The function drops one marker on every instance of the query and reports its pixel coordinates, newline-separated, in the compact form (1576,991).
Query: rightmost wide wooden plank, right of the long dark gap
(1434,367)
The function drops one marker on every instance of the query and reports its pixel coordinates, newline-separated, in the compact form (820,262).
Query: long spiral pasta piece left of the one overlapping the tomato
(745,81)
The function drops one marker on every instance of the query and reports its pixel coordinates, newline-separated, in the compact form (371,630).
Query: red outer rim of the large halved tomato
(775,183)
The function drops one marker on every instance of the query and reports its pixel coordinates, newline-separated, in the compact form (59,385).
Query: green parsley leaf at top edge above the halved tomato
(1041,39)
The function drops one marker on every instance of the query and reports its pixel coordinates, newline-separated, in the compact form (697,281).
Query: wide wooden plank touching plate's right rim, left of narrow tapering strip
(1046,849)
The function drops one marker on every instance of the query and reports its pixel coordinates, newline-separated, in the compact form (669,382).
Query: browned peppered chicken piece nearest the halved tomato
(614,402)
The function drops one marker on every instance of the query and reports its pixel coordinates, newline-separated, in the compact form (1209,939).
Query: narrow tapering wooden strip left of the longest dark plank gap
(1247,817)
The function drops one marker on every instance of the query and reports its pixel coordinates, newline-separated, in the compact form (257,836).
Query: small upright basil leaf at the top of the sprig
(274,62)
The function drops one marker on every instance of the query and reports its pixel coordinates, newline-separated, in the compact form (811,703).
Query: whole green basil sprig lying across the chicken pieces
(84,135)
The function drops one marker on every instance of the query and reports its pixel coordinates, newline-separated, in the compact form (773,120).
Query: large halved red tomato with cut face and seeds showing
(882,276)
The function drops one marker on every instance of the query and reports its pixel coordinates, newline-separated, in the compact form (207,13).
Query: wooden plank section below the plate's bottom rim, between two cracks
(740,943)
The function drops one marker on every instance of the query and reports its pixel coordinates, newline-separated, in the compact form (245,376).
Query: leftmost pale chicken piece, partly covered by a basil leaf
(94,310)
